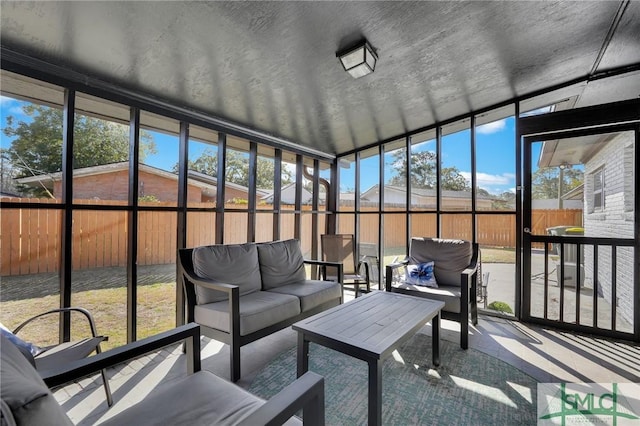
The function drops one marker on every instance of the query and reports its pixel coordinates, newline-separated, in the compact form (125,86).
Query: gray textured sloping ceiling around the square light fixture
(271,66)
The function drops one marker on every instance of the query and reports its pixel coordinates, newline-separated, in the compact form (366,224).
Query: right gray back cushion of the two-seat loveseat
(281,263)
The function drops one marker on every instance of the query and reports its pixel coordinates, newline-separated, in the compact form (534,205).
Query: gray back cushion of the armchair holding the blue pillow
(450,257)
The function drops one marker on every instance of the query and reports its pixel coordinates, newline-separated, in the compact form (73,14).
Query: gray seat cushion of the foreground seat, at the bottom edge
(207,400)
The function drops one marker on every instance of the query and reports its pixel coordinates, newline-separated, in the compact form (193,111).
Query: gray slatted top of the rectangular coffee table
(373,325)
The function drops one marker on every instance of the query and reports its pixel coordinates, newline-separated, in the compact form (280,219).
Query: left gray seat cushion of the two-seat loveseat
(257,311)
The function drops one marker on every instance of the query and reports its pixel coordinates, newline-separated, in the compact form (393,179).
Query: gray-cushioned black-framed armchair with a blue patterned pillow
(456,266)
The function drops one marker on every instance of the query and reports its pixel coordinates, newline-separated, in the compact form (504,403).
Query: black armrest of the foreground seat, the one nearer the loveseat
(190,333)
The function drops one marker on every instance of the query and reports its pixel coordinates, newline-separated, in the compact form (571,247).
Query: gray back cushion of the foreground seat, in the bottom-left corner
(25,397)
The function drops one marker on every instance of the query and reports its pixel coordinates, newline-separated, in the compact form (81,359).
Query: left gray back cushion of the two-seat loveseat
(235,264)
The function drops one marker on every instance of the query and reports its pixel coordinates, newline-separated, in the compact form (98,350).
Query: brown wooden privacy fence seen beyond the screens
(30,238)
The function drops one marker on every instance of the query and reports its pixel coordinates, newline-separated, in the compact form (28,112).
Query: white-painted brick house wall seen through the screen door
(615,220)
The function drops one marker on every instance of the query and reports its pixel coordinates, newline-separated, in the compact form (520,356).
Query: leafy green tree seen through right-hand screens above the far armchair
(423,172)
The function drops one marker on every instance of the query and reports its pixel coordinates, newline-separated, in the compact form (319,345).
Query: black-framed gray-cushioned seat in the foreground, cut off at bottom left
(200,398)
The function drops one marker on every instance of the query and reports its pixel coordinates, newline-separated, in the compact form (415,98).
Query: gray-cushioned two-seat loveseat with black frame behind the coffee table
(239,293)
